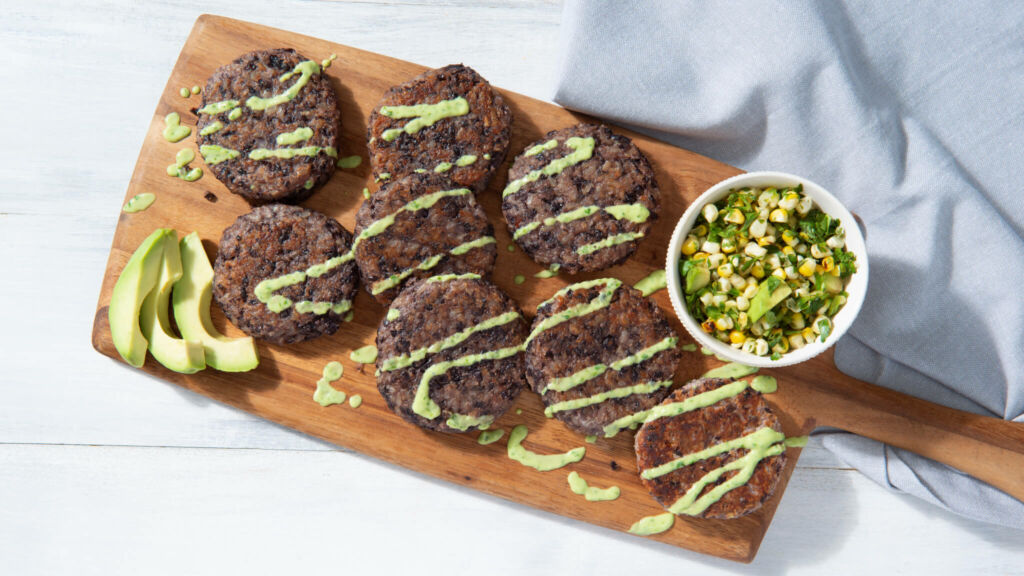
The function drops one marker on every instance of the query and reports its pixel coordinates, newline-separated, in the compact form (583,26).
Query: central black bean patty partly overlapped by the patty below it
(410,245)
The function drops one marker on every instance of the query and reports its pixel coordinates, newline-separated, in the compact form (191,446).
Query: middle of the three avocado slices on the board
(179,355)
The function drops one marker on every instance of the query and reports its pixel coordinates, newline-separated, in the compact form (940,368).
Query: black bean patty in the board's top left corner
(316,108)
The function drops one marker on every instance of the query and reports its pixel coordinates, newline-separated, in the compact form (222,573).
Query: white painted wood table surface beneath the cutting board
(107,471)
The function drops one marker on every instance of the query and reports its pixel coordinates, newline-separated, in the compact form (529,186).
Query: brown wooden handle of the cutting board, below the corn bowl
(990,449)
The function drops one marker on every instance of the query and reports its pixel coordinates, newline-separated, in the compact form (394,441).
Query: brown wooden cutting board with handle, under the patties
(281,390)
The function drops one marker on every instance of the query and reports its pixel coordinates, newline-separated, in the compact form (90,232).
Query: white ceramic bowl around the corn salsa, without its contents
(857,289)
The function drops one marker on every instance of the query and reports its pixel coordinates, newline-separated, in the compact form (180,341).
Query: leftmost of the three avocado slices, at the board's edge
(137,281)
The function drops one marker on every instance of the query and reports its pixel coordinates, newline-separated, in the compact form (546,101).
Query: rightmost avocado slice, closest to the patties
(191,300)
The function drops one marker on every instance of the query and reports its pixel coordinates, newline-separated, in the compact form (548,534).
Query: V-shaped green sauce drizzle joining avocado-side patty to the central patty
(276,303)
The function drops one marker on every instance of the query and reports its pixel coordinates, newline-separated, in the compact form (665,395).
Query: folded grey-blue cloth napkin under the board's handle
(912,114)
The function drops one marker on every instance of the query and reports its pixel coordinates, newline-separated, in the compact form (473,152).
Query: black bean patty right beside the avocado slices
(271,242)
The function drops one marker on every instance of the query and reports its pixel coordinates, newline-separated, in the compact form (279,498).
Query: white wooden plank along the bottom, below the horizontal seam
(141,511)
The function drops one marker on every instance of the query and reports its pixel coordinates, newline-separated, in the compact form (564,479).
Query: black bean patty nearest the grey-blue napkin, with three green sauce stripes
(616,175)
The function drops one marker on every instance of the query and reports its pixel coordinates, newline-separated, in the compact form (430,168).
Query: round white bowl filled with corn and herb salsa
(765,270)
